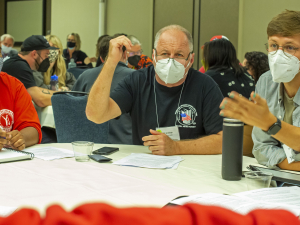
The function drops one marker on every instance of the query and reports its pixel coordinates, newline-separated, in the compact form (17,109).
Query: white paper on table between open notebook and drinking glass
(51,153)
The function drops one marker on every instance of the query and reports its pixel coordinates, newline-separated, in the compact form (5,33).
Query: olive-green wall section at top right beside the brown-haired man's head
(255,16)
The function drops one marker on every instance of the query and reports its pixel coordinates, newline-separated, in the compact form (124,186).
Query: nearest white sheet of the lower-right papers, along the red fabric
(239,204)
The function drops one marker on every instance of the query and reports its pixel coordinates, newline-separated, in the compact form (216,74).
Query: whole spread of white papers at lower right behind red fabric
(286,198)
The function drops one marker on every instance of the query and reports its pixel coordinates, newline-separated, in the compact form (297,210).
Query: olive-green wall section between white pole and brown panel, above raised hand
(133,17)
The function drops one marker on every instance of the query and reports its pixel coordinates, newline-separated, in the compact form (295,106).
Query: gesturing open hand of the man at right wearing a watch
(254,112)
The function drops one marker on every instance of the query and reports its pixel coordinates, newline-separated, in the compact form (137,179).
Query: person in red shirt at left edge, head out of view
(19,122)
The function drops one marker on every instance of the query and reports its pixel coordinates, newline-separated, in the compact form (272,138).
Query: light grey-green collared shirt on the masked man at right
(267,150)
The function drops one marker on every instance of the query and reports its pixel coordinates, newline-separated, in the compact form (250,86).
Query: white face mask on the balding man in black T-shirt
(169,70)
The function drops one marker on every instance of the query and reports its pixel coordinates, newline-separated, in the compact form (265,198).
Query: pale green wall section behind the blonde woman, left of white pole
(76,16)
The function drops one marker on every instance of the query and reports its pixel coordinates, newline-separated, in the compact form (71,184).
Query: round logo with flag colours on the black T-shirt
(186,116)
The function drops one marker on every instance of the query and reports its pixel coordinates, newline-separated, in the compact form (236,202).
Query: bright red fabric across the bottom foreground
(190,214)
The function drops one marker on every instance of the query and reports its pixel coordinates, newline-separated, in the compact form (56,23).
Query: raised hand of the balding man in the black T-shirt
(116,48)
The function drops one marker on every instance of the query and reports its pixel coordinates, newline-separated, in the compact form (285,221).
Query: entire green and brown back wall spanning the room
(244,22)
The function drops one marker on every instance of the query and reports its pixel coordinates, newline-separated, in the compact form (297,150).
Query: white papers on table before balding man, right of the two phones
(150,161)
